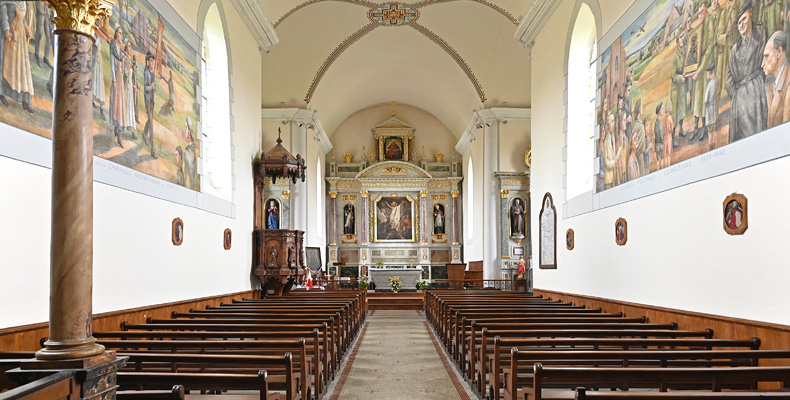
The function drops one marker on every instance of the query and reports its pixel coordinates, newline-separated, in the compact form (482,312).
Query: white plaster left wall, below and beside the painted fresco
(135,263)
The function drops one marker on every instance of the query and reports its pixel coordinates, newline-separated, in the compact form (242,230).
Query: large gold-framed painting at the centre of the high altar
(394,219)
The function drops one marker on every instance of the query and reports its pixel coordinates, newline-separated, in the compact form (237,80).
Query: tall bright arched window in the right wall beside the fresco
(582,56)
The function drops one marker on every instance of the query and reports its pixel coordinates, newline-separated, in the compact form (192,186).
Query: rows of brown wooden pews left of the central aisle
(287,346)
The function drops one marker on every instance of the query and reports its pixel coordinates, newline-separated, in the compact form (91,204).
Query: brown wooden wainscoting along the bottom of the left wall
(27,337)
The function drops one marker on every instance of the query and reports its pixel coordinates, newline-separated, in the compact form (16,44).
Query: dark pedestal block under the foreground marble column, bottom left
(95,376)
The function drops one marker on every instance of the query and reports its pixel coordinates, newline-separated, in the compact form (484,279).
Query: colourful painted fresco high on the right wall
(687,77)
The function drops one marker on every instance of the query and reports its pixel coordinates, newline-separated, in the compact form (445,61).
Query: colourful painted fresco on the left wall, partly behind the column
(129,89)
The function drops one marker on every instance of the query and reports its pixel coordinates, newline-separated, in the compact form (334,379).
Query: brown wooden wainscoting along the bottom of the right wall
(772,336)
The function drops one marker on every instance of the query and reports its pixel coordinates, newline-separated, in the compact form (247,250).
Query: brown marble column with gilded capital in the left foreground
(71,250)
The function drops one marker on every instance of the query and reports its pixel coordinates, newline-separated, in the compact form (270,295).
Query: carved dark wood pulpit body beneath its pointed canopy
(279,258)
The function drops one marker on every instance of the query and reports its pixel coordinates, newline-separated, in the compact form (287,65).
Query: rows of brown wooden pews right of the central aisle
(515,346)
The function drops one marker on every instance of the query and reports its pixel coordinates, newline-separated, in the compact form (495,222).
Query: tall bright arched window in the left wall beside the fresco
(217,161)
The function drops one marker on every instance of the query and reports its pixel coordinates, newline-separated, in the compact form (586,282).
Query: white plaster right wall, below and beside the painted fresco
(677,254)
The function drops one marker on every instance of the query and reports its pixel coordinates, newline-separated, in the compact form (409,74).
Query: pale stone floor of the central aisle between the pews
(398,360)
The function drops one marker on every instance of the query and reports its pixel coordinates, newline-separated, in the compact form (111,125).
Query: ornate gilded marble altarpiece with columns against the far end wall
(394,206)
